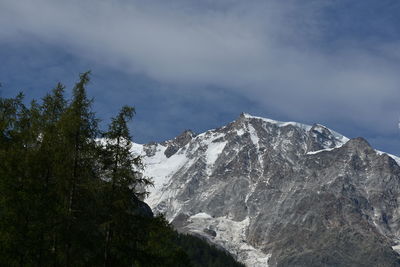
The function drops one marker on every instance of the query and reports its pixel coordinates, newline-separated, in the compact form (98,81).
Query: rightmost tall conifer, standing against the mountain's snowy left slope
(121,193)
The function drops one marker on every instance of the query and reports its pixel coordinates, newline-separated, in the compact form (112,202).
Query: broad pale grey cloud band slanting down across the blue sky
(284,55)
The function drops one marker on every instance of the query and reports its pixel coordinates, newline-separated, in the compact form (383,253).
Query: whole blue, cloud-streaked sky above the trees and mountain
(192,64)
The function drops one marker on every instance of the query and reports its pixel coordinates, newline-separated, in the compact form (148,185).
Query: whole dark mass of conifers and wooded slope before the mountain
(69,193)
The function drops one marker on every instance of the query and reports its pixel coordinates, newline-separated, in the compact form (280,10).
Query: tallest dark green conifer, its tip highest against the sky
(77,170)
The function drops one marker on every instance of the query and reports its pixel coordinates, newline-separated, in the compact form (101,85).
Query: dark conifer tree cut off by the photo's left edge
(11,181)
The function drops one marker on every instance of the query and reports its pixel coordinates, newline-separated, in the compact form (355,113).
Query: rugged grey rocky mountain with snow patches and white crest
(279,193)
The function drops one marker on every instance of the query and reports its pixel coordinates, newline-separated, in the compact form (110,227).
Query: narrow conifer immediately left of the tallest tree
(53,107)
